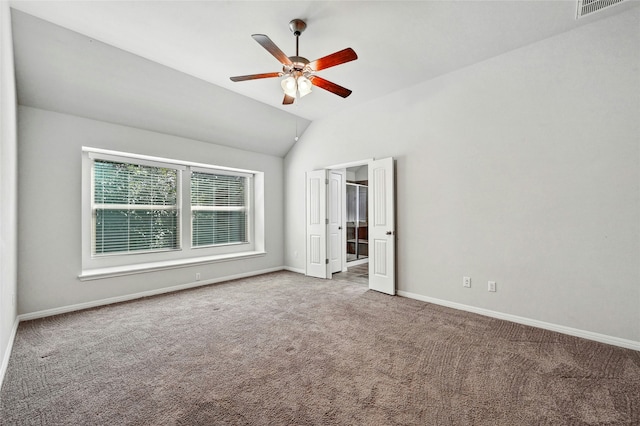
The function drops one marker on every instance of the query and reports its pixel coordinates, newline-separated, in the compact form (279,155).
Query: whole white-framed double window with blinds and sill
(148,213)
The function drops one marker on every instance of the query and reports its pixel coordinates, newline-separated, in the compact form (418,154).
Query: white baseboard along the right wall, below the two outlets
(602,338)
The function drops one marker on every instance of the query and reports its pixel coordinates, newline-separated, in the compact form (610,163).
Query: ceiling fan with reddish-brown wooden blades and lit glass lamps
(299,73)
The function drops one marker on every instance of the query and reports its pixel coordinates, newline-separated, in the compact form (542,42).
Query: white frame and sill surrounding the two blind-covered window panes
(117,264)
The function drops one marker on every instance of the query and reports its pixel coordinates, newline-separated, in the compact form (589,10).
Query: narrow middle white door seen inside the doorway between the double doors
(336,196)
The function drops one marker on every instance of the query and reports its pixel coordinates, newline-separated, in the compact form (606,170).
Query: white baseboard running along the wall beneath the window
(127,297)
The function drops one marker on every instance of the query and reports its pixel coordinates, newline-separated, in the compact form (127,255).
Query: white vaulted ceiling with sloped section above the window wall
(399,44)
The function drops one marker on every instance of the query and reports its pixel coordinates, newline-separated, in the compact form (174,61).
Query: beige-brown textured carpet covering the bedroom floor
(283,349)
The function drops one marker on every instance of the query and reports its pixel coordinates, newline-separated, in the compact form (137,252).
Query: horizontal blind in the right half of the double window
(219,209)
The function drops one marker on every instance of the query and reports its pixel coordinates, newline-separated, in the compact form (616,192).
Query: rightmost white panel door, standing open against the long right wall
(382,238)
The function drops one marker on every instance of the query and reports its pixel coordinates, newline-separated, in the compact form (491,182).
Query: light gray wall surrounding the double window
(49,258)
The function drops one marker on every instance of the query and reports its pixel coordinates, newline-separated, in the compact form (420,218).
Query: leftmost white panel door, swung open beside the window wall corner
(317,260)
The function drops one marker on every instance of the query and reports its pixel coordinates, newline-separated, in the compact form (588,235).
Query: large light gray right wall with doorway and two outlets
(523,169)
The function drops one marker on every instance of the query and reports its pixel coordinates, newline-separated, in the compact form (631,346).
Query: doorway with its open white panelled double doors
(373,229)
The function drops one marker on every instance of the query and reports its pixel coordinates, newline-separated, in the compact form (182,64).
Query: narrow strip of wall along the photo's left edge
(8,188)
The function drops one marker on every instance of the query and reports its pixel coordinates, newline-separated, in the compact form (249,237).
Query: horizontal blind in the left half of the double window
(135,208)
